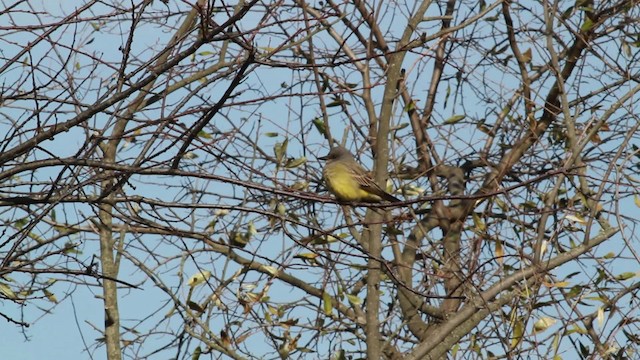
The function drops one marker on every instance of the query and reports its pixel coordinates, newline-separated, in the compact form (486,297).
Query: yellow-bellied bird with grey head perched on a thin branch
(348,181)
